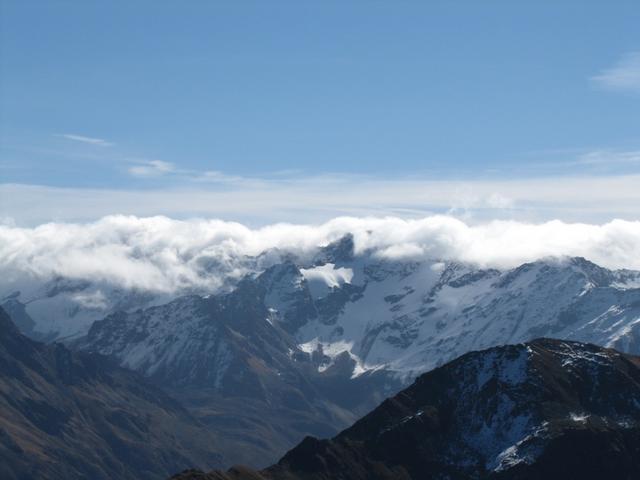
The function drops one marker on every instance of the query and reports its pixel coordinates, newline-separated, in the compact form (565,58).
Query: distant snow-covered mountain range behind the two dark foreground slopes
(307,344)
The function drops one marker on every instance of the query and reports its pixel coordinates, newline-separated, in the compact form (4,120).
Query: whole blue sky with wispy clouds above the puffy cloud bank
(207,100)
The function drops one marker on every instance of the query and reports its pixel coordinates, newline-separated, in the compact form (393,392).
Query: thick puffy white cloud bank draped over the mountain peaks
(163,254)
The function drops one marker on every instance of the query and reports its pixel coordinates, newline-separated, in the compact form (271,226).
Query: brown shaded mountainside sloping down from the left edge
(73,415)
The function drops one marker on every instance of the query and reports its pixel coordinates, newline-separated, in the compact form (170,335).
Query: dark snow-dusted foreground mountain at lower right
(546,409)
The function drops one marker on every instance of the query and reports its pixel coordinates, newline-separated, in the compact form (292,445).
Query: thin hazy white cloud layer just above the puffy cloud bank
(585,199)
